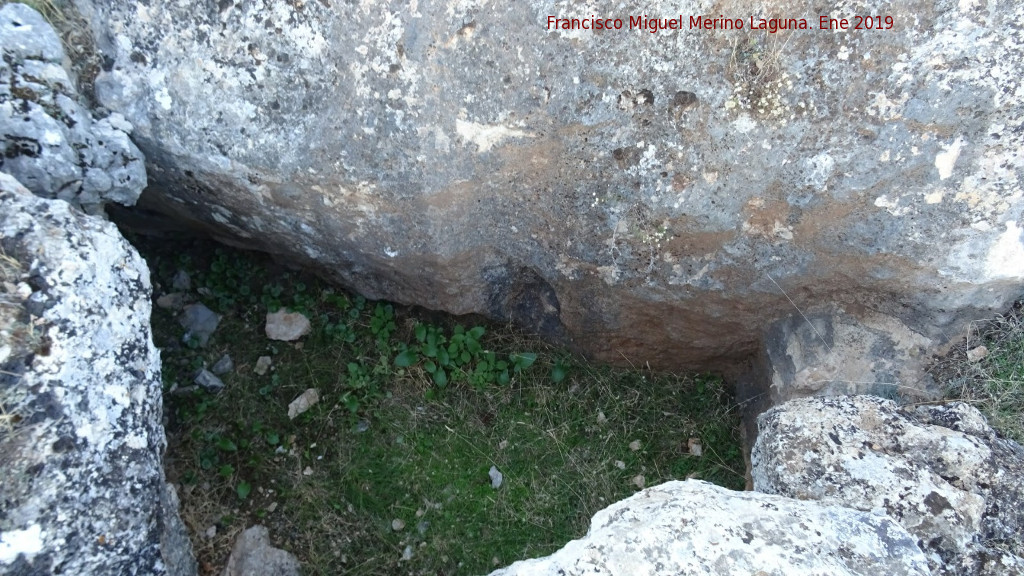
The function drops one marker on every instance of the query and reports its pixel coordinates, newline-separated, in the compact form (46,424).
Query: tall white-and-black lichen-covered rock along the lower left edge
(81,440)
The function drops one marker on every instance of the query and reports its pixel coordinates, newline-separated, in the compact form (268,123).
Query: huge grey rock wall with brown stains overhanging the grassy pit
(649,195)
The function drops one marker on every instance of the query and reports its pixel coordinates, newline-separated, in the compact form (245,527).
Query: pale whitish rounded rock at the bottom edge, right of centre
(691,528)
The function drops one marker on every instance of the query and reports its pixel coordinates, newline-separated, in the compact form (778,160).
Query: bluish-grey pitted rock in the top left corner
(49,142)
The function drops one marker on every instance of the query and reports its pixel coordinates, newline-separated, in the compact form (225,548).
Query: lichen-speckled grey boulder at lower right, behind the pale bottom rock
(940,471)
